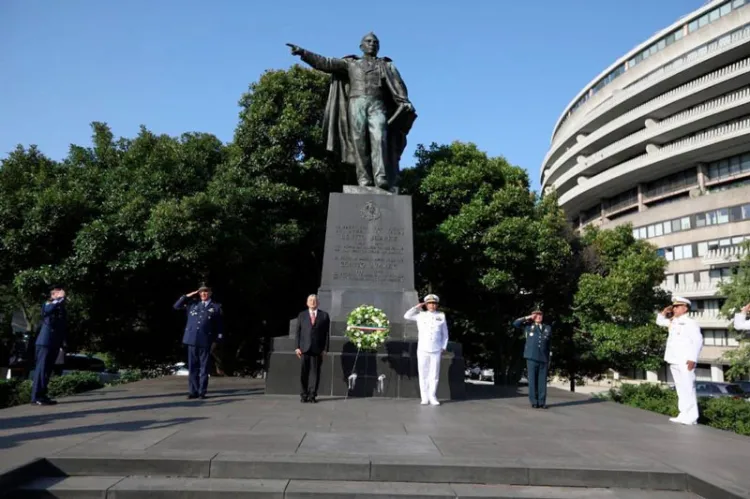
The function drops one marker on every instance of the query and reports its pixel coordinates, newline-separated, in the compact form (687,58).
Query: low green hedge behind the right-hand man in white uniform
(724,413)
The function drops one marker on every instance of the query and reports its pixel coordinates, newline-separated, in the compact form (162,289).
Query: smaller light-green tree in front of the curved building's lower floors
(618,294)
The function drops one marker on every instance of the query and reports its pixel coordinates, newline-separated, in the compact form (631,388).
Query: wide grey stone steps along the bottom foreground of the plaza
(207,474)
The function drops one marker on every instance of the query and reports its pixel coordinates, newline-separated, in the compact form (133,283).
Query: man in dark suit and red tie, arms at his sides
(313,328)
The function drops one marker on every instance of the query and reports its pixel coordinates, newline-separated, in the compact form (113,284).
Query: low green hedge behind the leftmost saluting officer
(18,391)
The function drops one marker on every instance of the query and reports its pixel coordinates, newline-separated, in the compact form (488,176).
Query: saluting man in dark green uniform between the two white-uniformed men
(536,353)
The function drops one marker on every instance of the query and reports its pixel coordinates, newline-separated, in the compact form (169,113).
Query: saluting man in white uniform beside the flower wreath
(433,340)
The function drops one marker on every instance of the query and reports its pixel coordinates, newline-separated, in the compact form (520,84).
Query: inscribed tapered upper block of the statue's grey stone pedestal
(369,259)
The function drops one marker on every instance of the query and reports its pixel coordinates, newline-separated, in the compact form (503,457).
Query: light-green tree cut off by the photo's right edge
(737,293)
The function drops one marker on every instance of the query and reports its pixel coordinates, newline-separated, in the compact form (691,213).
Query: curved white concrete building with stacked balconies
(661,140)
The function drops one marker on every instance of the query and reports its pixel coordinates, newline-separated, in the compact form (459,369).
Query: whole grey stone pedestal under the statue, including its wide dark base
(368,259)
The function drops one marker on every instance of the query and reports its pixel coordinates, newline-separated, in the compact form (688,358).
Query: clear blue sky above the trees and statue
(494,72)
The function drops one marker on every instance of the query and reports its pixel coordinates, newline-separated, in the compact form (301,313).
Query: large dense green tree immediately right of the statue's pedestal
(488,245)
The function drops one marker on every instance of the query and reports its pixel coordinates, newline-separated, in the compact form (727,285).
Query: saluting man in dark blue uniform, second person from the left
(204,327)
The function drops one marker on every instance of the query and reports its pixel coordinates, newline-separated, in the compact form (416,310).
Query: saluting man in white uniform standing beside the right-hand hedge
(684,345)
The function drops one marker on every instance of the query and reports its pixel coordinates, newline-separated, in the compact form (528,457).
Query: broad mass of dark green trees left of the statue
(128,225)
